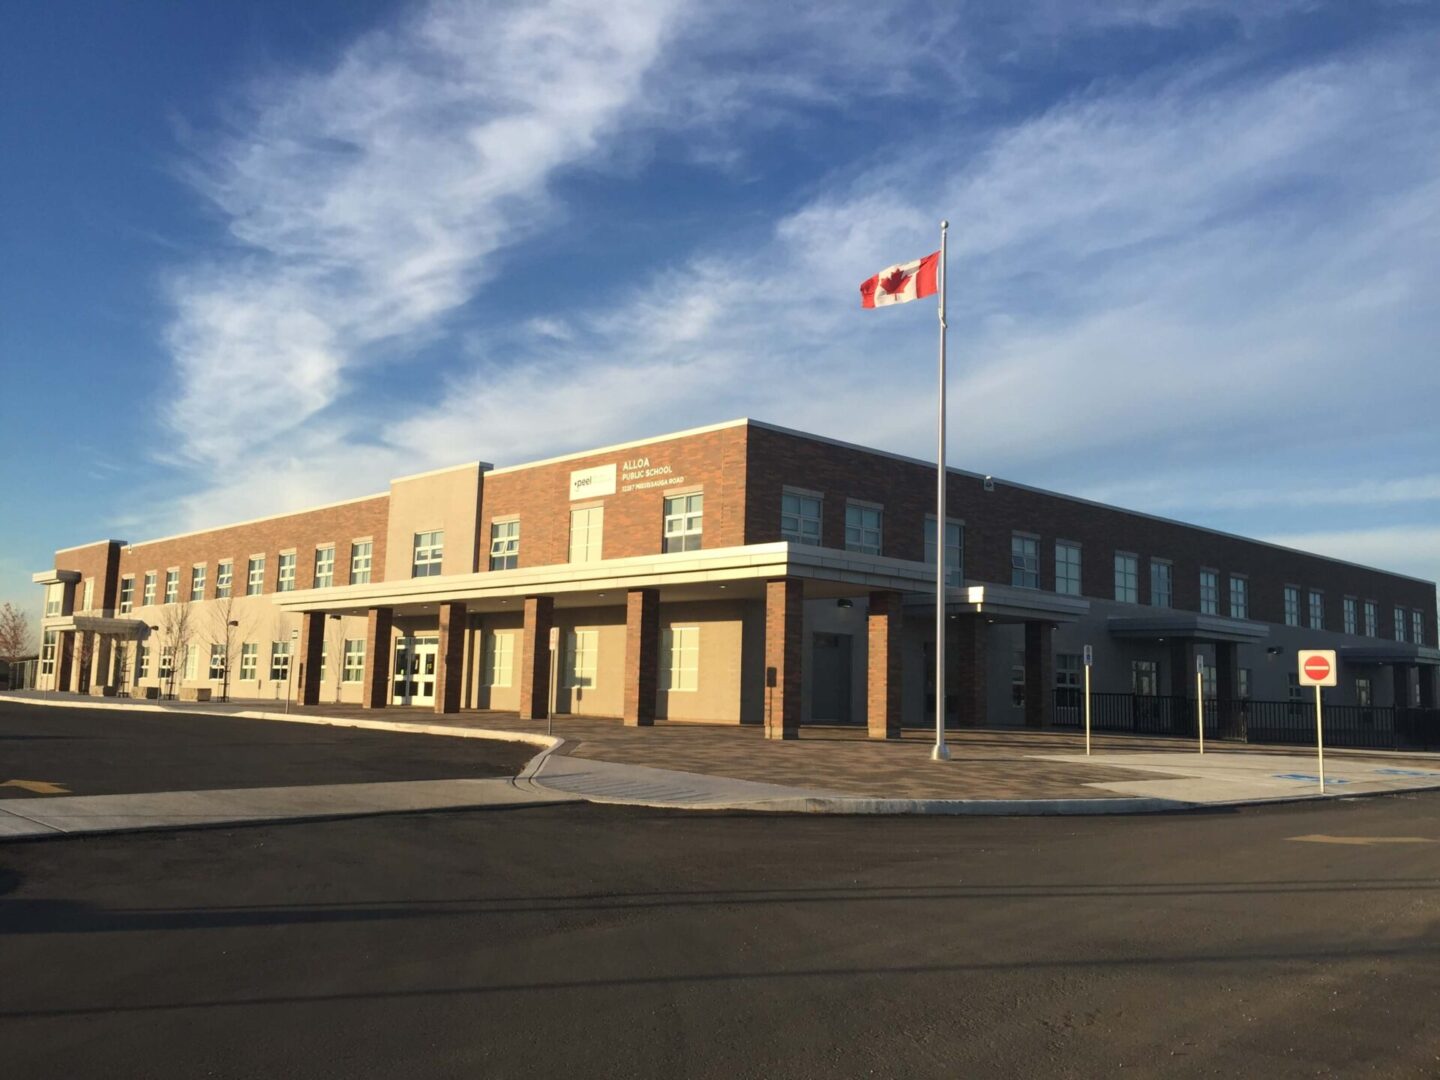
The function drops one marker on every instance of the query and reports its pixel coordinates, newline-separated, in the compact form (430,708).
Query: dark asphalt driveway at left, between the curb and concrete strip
(112,752)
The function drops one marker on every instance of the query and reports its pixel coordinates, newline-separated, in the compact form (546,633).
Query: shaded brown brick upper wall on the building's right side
(908,493)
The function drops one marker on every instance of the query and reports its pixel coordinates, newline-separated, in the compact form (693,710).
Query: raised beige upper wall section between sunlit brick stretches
(447,500)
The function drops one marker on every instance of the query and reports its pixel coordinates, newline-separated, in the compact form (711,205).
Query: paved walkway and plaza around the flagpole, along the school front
(840,771)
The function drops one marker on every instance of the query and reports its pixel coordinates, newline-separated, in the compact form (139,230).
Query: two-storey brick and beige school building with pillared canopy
(738,574)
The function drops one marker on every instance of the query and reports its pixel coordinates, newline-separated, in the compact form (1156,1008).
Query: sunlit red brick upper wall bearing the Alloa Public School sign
(634,521)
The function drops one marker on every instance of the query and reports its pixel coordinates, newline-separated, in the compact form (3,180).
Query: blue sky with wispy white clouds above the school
(266,256)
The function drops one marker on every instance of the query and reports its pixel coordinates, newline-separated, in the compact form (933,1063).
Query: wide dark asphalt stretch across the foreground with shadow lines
(588,941)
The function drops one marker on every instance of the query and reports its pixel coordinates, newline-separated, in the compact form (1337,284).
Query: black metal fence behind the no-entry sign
(1376,728)
